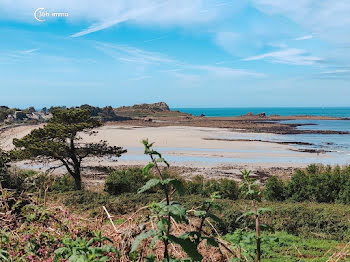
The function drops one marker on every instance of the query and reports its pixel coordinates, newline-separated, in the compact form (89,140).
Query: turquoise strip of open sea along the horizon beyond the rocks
(283,111)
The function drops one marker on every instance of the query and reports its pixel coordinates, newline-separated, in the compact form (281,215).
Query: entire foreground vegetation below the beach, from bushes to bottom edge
(160,216)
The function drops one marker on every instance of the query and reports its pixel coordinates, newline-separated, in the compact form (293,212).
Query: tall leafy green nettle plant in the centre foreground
(167,213)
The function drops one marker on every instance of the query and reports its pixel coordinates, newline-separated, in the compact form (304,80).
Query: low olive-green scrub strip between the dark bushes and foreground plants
(323,221)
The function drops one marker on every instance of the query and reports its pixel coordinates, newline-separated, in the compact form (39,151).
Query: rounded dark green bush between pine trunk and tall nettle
(125,181)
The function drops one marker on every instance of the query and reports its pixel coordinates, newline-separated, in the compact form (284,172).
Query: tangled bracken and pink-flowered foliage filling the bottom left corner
(30,232)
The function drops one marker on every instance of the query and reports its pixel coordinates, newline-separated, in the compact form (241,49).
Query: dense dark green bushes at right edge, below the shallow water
(316,183)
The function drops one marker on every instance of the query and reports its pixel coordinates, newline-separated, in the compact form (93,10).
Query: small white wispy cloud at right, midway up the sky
(290,56)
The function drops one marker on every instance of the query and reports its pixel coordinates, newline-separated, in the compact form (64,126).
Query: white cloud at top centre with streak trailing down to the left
(169,12)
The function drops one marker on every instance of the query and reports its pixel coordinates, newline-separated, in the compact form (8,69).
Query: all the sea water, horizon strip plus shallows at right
(337,146)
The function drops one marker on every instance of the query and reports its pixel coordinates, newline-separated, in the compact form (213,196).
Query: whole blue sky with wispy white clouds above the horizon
(198,53)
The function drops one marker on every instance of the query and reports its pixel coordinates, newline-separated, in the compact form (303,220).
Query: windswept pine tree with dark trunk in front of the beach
(59,140)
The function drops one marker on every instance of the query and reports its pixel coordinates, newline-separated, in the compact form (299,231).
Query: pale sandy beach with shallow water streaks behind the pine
(202,149)
